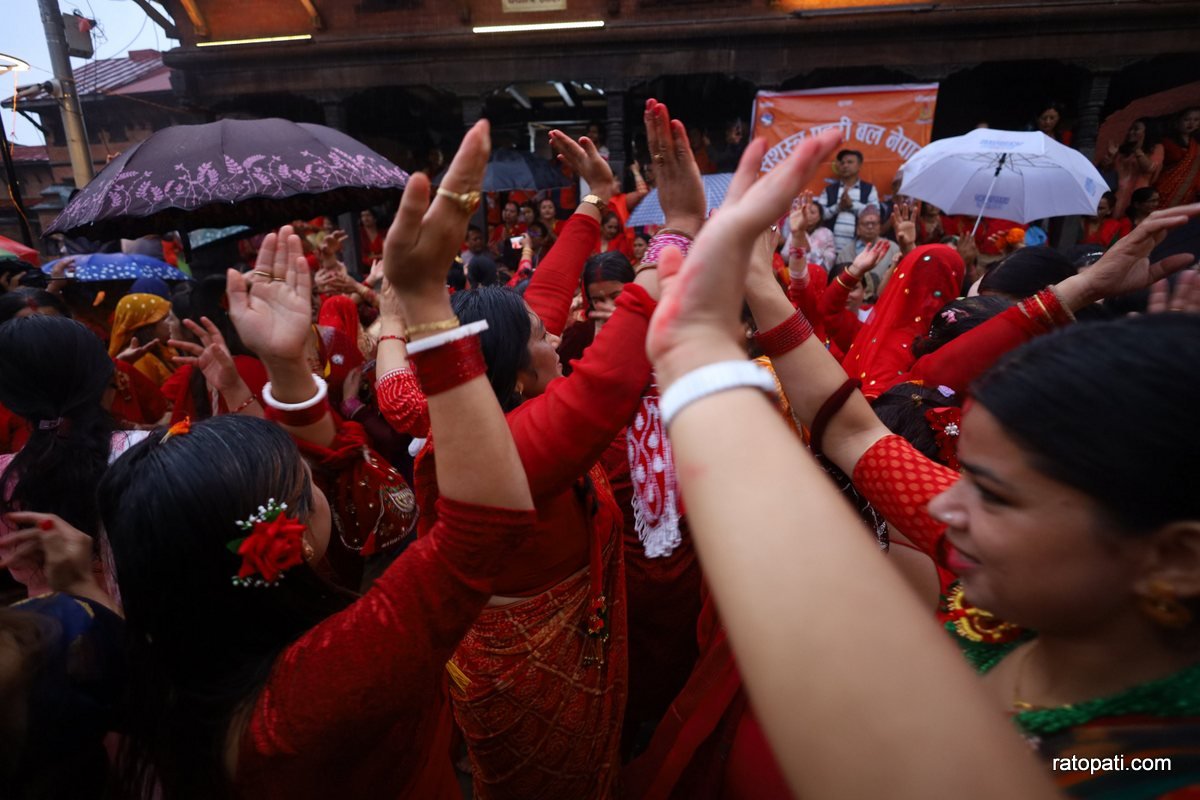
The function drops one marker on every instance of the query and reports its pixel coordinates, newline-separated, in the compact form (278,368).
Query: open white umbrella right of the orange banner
(1019,176)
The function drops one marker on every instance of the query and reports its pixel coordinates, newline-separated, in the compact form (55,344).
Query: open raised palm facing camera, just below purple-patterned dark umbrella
(274,314)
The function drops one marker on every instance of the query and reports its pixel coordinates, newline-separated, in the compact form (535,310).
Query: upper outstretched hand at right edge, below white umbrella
(1126,267)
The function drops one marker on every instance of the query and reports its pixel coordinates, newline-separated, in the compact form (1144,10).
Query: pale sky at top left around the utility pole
(122,27)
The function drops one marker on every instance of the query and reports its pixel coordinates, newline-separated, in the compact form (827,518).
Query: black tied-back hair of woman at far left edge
(55,374)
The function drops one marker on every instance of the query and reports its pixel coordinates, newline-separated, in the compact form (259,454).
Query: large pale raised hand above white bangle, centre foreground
(698,320)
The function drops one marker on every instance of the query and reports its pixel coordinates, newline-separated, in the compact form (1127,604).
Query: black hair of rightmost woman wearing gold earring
(1109,408)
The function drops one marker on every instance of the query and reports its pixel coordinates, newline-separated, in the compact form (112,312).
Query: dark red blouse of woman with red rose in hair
(353,708)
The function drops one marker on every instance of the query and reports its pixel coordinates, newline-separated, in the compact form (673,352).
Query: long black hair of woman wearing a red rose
(201,647)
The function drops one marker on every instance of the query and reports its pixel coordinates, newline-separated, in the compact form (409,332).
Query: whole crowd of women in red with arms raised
(759,542)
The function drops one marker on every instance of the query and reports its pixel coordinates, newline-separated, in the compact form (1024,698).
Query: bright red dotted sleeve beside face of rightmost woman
(899,482)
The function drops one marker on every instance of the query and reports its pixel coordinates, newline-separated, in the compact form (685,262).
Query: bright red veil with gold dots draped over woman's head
(923,282)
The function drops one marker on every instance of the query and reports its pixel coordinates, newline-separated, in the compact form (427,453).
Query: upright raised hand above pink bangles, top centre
(677,177)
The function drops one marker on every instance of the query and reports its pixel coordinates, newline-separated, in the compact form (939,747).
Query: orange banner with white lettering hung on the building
(886,124)
